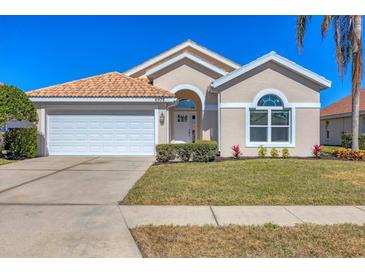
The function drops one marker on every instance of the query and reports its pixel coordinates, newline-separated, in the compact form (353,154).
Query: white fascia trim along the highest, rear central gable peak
(177,49)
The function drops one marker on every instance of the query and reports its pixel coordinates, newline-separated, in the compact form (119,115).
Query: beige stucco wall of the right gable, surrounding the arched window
(245,88)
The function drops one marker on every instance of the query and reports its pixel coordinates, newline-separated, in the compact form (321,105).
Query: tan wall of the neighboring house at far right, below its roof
(336,127)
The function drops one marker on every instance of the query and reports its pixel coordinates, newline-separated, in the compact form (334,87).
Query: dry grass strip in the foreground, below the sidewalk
(315,241)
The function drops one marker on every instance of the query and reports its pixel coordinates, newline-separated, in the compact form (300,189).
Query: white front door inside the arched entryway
(183,126)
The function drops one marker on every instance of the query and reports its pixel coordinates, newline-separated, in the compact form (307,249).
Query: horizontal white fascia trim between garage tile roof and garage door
(102,100)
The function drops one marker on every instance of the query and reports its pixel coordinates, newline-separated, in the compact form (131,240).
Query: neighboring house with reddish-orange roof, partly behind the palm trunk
(336,119)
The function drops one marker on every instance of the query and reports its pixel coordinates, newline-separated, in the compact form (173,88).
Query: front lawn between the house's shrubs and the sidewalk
(252,182)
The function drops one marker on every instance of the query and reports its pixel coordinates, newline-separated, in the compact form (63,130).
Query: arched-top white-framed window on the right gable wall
(270,121)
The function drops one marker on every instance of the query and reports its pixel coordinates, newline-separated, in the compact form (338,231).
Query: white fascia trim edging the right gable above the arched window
(274,57)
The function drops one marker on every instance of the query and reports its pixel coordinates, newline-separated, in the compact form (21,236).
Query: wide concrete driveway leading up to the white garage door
(67,206)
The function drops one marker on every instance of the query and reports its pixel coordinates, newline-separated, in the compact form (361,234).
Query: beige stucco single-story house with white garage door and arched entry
(185,94)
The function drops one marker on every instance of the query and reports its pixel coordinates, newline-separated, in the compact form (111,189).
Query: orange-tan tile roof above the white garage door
(113,84)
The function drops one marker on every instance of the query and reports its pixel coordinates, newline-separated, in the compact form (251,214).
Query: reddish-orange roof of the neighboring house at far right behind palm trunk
(343,107)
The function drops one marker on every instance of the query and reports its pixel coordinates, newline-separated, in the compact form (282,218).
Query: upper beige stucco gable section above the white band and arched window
(244,88)
